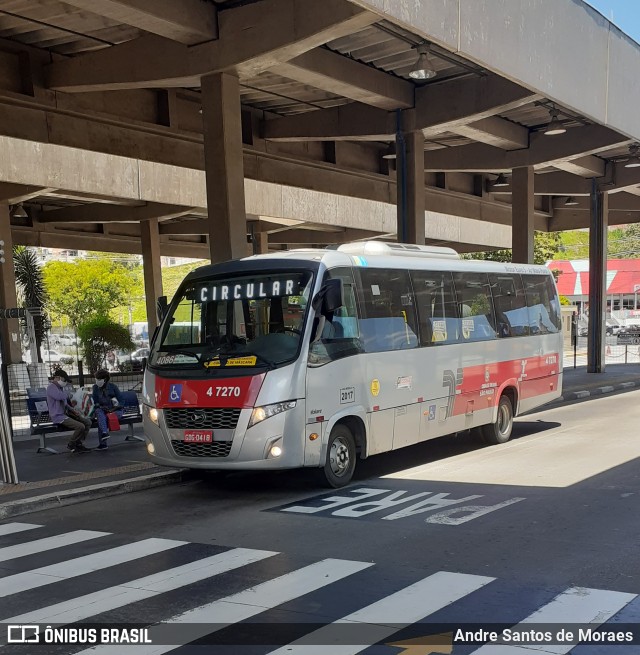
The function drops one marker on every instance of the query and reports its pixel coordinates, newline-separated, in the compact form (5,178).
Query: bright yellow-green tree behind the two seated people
(85,289)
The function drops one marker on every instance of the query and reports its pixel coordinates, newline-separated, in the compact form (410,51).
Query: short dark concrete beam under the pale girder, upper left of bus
(103,213)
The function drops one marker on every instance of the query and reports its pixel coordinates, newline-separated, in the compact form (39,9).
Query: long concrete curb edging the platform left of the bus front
(93,492)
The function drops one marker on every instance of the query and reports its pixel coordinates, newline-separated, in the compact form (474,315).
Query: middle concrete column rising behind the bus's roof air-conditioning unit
(411,192)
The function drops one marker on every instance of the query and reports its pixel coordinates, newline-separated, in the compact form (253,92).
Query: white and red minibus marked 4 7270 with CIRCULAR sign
(315,358)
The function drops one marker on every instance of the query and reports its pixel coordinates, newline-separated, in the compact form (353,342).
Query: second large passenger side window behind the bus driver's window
(436,304)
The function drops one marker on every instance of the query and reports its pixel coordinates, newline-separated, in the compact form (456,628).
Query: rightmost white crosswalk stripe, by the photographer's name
(576,605)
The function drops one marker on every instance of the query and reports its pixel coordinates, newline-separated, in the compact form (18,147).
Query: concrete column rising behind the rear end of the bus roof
(522,214)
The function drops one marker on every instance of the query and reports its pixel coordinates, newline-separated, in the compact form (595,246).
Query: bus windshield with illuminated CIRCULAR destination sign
(243,321)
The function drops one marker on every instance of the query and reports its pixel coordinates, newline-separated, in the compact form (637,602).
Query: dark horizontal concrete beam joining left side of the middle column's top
(353,122)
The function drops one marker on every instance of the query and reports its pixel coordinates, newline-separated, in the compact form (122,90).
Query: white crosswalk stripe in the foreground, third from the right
(245,604)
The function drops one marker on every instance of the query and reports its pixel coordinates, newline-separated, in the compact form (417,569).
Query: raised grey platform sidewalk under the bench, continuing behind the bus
(48,481)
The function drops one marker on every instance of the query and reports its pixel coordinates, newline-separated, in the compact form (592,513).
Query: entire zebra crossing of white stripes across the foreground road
(372,624)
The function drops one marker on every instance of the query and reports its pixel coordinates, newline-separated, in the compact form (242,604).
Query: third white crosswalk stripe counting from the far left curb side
(45,575)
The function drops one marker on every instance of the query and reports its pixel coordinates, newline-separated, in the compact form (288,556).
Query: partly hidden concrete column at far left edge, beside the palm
(9,328)
